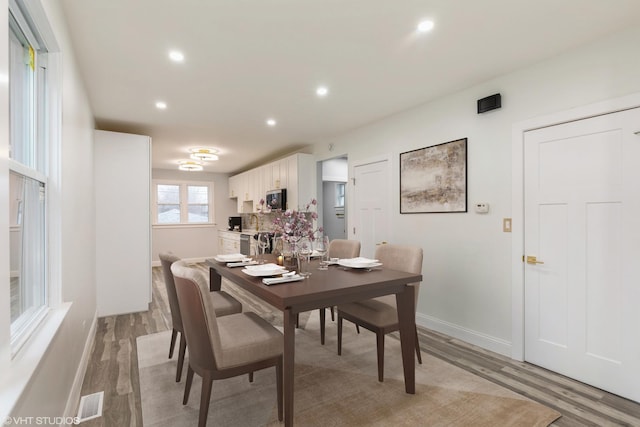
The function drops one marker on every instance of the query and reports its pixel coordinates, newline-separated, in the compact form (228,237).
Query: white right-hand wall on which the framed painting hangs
(466,290)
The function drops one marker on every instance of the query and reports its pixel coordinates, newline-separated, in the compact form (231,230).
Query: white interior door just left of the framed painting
(371,205)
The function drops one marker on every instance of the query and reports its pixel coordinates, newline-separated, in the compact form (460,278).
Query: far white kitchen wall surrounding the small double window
(194,242)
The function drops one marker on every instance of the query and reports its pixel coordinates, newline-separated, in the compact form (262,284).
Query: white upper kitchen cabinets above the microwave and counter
(294,173)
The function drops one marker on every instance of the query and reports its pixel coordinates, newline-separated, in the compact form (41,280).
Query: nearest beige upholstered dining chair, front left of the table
(222,347)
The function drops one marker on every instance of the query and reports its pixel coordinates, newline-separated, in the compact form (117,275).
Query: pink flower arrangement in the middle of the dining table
(294,224)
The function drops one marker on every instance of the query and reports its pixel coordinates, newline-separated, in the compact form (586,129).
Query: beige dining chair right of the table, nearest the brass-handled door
(380,315)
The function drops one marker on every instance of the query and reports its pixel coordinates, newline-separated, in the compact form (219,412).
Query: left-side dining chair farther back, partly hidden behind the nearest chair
(224,304)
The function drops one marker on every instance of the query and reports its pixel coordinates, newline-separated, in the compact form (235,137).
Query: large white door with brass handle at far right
(582,211)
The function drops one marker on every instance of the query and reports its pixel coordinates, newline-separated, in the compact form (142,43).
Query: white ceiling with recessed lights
(249,60)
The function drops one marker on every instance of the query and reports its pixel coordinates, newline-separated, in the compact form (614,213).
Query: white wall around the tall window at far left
(51,384)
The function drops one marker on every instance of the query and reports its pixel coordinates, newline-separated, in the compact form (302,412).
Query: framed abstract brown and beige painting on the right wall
(434,179)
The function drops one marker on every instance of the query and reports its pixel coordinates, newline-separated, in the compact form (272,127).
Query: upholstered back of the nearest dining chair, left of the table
(198,316)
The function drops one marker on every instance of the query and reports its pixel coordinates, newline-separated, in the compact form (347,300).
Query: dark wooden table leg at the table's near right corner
(407,320)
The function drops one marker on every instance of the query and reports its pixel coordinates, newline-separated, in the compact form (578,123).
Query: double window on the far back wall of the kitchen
(183,203)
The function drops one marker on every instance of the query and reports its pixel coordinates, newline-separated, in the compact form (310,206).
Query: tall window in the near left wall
(28,176)
